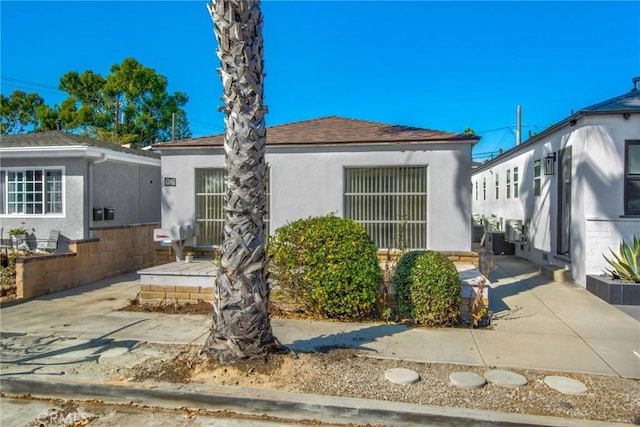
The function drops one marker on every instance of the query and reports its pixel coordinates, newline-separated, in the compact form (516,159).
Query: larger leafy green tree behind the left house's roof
(130,105)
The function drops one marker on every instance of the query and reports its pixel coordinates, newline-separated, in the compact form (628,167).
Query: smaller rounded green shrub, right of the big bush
(435,290)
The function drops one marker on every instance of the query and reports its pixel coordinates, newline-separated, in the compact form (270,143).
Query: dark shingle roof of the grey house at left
(62,139)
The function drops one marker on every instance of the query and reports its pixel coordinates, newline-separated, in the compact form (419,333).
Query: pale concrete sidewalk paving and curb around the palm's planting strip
(538,324)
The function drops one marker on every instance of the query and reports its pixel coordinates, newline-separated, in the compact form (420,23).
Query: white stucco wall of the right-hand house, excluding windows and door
(597,200)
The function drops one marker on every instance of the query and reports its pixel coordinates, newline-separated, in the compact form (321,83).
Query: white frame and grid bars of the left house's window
(45,201)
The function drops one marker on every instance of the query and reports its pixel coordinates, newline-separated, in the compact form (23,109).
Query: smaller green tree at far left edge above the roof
(19,112)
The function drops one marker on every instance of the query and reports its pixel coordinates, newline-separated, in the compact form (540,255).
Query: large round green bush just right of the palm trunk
(327,265)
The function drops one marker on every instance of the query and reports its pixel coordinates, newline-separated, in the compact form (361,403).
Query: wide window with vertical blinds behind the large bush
(390,202)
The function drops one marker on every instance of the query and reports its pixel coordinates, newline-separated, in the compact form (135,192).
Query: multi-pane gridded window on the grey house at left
(33,192)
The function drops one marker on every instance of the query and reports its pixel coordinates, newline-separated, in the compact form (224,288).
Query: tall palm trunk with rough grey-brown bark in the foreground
(241,323)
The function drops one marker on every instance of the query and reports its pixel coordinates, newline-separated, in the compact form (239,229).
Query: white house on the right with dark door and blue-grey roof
(575,187)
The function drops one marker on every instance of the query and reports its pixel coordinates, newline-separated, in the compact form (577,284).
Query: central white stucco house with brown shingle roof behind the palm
(393,179)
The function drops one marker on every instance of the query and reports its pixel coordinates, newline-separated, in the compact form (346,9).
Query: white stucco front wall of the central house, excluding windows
(307,183)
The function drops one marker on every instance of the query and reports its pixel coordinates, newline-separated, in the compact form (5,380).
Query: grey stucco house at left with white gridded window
(66,182)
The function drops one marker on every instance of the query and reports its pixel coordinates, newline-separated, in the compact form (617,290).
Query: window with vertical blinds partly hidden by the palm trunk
(210,191)
